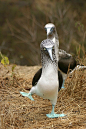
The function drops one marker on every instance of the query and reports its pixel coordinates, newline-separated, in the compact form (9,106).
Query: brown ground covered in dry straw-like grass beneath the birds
(18,112)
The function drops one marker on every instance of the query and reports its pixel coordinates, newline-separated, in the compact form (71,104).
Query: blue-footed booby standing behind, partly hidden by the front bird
(66,60)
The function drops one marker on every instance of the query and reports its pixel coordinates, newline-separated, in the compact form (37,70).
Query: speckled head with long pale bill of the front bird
(48,46)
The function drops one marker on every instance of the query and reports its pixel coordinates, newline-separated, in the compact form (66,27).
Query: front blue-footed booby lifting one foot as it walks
(47,84)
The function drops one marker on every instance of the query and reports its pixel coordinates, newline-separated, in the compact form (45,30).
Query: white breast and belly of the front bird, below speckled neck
(47,86)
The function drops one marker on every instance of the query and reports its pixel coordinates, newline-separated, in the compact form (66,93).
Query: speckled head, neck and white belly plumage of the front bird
(47,86)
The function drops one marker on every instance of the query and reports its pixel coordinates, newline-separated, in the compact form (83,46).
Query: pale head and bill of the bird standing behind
(50,29)
